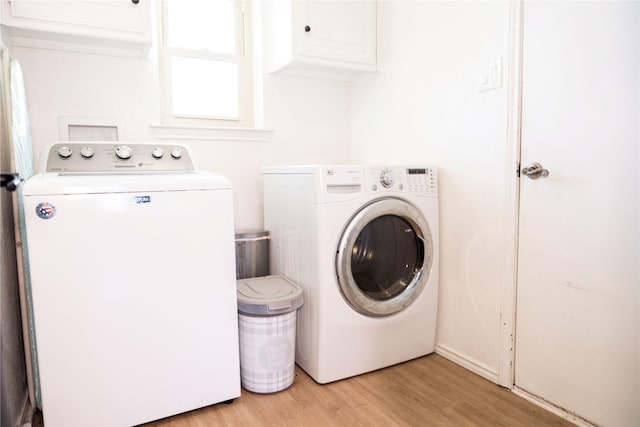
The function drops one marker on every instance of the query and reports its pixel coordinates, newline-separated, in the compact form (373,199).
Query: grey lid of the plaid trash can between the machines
(268,295)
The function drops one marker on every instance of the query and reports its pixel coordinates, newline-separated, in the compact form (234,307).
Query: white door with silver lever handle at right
(577,295)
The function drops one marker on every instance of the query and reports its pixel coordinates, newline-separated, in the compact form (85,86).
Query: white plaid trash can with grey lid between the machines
(267,310)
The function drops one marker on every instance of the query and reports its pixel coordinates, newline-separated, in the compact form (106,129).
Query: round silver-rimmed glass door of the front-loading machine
(384,257)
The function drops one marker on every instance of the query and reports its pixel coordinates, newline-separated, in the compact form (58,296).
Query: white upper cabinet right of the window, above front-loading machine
(328,38)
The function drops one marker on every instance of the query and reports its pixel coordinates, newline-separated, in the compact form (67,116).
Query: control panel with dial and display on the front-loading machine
(415,180)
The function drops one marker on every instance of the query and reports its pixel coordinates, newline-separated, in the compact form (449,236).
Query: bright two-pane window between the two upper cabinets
(205,63)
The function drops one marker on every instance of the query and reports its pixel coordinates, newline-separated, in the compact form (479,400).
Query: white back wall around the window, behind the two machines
(309,118)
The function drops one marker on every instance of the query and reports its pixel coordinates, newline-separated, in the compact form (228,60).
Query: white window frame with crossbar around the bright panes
(243,58)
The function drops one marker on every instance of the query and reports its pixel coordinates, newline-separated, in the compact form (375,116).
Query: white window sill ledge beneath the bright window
(196,133)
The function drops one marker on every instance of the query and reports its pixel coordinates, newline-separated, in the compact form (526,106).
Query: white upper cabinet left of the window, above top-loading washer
(117,27)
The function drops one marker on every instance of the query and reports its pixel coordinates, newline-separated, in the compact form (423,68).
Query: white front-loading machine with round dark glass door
(362,242)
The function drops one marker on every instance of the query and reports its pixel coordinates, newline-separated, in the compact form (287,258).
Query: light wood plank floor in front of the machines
(429,391)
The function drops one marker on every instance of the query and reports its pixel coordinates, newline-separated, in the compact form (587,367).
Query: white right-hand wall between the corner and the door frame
(423,107)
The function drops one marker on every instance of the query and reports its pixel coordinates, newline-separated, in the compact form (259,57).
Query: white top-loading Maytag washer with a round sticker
(132,260)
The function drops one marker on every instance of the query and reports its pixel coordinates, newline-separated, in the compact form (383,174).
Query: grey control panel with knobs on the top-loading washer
(97,157)
